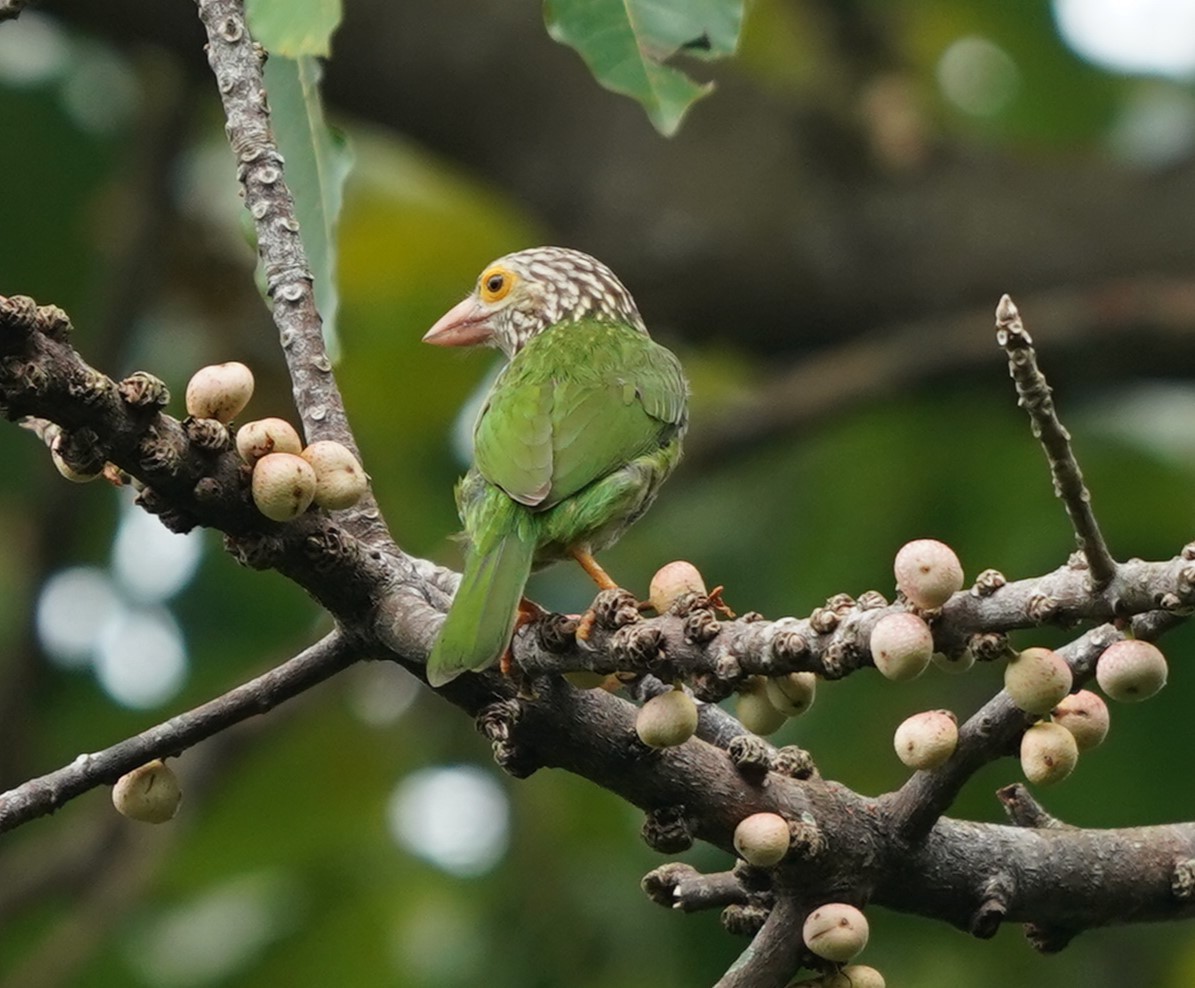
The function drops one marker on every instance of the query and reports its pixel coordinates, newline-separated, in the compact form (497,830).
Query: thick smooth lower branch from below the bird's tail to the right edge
(975,876)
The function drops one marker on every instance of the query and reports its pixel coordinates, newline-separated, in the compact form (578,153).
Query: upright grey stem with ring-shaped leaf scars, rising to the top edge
(237,63)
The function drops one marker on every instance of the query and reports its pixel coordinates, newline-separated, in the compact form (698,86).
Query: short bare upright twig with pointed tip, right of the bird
(1035,398)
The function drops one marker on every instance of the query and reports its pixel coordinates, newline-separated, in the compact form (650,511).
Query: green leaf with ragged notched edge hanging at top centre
(628,44)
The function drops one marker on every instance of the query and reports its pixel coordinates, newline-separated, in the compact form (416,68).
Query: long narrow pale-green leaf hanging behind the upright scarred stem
(318,159)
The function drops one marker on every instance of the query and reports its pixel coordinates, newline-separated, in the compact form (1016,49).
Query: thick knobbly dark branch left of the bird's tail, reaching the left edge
(192,474)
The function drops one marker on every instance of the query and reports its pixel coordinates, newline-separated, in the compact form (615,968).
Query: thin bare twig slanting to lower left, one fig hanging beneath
(45,795)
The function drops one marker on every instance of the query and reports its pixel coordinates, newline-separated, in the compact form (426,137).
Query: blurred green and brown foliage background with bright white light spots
(865,174)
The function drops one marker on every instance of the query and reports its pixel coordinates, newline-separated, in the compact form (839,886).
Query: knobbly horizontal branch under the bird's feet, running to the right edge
(693,643)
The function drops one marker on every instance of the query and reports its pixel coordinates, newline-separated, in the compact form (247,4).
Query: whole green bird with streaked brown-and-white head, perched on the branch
(572,445)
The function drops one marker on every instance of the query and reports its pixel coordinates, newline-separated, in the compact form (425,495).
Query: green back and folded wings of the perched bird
(581,409)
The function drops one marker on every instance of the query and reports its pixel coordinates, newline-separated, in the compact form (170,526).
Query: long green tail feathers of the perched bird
(482,618)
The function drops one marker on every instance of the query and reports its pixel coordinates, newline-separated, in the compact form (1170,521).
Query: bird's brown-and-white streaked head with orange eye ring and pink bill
(522,294)
